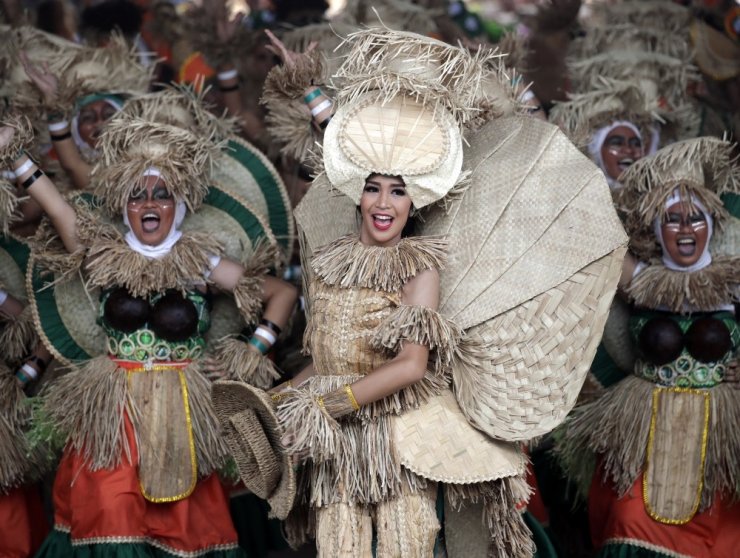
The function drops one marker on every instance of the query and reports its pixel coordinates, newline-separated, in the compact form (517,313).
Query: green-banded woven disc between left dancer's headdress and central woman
(245,172)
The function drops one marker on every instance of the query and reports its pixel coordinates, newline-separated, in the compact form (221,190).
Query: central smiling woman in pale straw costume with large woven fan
(392,332)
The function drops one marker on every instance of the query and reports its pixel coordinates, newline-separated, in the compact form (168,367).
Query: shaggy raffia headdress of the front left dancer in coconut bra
(168,130)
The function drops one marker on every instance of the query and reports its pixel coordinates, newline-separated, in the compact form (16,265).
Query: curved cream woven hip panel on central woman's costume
(438,443)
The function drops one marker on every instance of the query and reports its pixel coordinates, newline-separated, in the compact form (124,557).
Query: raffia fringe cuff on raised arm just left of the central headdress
(289,121)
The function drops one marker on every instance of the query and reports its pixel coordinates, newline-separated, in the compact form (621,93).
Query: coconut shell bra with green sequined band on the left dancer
(166,326)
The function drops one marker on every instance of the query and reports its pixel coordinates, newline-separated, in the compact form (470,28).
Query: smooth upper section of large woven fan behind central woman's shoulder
(533,200)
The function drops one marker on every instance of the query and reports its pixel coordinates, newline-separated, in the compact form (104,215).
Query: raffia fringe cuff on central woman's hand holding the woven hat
(310,432)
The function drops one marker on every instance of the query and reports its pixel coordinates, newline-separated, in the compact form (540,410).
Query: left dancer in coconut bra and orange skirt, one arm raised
(117,492)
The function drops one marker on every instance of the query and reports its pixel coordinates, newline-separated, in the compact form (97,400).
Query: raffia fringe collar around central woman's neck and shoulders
(348,263)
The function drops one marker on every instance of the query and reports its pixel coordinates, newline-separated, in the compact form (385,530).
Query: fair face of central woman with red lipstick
(385,207)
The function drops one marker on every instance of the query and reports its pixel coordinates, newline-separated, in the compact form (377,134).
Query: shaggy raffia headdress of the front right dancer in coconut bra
(702,167)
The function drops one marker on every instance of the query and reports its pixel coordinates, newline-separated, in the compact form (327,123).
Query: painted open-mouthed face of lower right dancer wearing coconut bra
(685,233)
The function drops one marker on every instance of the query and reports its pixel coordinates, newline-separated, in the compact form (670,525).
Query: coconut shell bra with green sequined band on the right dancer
(684,351)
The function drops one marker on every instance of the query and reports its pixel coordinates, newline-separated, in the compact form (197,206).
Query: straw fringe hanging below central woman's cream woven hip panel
(509,535)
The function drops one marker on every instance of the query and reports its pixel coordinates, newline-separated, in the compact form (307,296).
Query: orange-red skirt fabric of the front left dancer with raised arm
(108,503)
